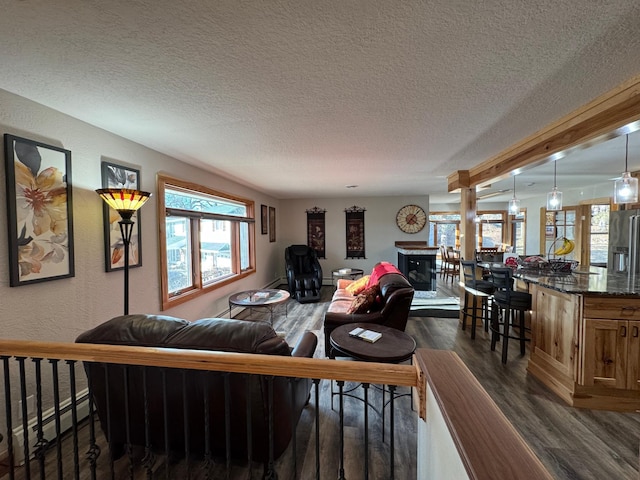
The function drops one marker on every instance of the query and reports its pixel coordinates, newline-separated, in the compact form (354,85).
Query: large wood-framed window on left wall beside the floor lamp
(206,239)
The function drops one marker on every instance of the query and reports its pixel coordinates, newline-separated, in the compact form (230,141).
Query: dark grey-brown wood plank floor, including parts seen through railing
(572,443)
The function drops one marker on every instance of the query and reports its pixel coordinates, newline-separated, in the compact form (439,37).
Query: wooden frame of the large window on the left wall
(198,288)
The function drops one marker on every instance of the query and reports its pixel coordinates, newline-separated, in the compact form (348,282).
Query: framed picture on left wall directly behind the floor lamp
(119,176)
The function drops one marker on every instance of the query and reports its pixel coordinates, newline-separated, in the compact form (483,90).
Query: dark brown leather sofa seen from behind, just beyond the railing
(247,394)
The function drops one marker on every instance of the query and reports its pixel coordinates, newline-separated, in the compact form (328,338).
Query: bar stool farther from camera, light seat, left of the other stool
(475,288)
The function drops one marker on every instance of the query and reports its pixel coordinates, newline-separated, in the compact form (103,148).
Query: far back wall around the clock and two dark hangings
(381,231)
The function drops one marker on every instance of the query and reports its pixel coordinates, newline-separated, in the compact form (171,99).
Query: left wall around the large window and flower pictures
(60,310)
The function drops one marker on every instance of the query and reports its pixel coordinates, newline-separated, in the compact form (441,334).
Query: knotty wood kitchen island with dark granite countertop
(585,337)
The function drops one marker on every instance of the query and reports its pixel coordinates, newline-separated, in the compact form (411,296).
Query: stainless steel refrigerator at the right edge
(624,241)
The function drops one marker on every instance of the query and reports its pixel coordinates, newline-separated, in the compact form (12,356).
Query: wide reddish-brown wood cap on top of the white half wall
(487,443)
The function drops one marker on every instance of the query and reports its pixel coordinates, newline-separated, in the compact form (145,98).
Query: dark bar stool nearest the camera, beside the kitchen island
(506,304)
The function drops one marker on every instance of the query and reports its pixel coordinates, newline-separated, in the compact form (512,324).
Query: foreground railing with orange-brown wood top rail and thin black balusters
(387,375)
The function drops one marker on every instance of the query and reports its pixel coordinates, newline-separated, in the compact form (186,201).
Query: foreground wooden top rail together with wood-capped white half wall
(480,437)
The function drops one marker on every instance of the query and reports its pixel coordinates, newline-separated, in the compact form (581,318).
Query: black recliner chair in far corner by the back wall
(304,273)
